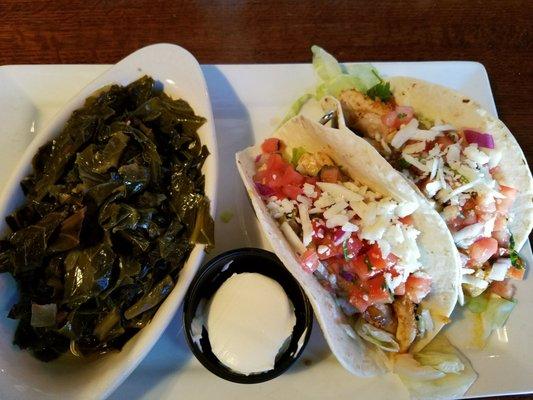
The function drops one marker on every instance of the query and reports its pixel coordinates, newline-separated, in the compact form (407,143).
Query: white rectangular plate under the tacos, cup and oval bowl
(248,102)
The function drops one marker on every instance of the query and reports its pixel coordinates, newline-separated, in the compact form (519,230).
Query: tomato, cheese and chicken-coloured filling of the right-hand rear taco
(458,169)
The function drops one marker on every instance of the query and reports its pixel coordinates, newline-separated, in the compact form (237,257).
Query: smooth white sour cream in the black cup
(249,320)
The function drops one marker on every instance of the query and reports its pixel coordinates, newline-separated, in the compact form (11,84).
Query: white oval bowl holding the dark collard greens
(21,375)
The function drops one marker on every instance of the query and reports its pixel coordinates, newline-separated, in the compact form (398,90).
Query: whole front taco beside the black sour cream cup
(375,259)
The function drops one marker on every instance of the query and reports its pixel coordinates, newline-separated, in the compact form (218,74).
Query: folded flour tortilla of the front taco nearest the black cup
(363,164)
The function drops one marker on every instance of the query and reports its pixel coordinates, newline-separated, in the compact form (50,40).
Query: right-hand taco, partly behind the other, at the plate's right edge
(466,162)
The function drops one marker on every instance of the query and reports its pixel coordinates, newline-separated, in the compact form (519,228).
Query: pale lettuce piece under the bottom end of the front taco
(439,371)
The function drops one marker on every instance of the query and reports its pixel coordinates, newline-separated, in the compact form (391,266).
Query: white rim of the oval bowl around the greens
(142,61)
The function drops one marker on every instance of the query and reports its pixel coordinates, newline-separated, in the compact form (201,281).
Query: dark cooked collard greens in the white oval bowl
(114,205)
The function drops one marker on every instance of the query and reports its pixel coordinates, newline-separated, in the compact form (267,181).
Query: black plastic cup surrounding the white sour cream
(193,298)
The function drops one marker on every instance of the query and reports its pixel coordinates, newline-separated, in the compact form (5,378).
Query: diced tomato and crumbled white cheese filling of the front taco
(359,244)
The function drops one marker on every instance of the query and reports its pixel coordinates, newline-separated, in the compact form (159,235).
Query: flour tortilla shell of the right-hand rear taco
(438,102)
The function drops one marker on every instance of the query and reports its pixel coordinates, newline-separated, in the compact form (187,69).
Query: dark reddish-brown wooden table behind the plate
(494,32)
